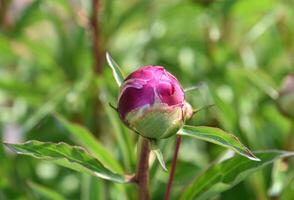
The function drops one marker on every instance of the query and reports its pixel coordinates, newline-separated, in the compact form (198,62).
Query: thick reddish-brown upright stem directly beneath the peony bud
(142,176)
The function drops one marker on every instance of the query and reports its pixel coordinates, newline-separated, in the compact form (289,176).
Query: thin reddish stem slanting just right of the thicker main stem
(173,168)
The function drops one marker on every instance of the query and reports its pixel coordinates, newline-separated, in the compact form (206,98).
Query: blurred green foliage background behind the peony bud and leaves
(52,60)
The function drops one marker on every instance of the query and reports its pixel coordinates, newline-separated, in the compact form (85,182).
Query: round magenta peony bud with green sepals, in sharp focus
(152,103)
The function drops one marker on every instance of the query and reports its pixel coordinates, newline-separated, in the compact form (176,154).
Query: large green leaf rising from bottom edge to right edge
(222,176)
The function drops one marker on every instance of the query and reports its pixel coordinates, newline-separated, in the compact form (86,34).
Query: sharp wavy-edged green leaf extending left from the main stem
(72,157)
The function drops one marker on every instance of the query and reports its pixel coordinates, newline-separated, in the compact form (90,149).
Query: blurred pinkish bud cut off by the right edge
(286,96)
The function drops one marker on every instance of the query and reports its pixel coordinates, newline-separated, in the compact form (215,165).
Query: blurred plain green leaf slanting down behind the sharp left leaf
(86,139)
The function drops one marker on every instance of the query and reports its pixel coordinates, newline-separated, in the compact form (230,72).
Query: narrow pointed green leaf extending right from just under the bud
(217,136)
